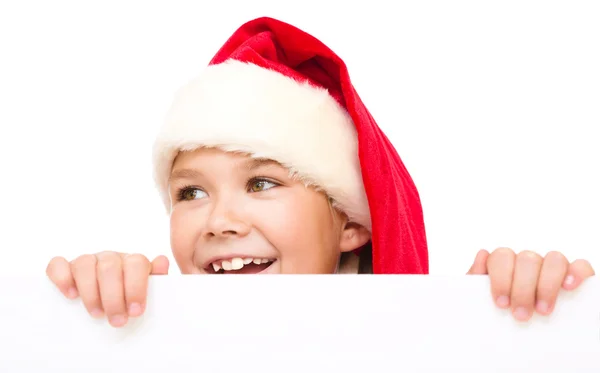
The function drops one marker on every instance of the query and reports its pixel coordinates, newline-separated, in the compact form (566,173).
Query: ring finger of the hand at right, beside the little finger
(552,274)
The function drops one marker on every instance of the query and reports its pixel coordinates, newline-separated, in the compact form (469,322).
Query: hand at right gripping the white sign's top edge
(527,282)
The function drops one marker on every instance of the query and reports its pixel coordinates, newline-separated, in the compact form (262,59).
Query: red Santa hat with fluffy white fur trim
(274,91)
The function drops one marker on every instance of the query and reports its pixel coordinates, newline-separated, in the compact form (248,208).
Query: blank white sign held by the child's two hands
(300,324)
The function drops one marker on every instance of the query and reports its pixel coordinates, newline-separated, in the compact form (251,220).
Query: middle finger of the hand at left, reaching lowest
(112,293)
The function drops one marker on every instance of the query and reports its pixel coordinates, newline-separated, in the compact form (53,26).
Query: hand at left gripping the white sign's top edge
(110,284)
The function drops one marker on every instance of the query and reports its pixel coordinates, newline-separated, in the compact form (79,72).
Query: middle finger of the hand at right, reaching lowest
(524,287)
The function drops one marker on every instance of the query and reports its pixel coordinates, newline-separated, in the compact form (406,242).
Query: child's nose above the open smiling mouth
(225,220)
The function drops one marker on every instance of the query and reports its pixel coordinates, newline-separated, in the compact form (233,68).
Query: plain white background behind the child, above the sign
(493,106)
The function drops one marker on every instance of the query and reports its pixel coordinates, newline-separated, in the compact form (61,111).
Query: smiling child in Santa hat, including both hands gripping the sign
(269,163)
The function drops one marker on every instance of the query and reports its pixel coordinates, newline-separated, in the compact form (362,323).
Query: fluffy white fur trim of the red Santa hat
(237,106)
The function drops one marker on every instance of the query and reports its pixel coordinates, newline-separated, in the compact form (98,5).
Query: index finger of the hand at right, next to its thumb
(500,267)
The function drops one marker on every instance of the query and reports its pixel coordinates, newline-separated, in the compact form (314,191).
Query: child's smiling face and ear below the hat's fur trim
(229,209)
